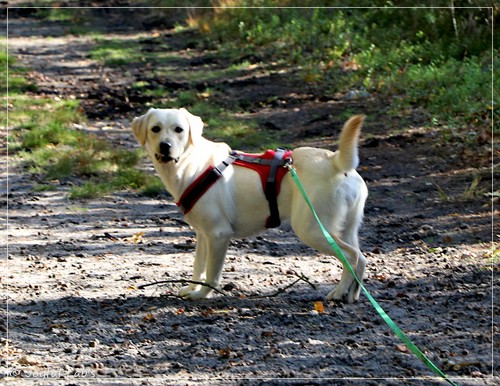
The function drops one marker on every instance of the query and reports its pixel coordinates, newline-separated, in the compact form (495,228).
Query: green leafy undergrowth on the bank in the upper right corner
(437,58)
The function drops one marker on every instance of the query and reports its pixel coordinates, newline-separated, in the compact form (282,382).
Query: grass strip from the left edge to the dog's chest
(45,134)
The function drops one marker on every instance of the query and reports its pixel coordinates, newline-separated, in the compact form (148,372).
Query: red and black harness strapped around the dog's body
(270,166)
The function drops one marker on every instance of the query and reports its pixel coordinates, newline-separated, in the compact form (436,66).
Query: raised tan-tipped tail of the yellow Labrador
(346,158)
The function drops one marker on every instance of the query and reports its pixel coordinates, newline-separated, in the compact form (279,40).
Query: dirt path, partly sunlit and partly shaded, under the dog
(76,315)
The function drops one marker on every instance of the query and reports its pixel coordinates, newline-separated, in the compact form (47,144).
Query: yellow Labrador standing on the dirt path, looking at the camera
(236,206)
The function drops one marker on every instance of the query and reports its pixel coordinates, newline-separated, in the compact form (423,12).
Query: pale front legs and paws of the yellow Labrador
(211,264)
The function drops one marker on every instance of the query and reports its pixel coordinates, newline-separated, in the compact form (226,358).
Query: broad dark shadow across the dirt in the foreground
(279,336)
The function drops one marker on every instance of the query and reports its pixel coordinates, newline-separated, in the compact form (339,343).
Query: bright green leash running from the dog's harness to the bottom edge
(414,349)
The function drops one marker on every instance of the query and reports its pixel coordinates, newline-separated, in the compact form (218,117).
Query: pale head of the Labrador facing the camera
(167,133)
